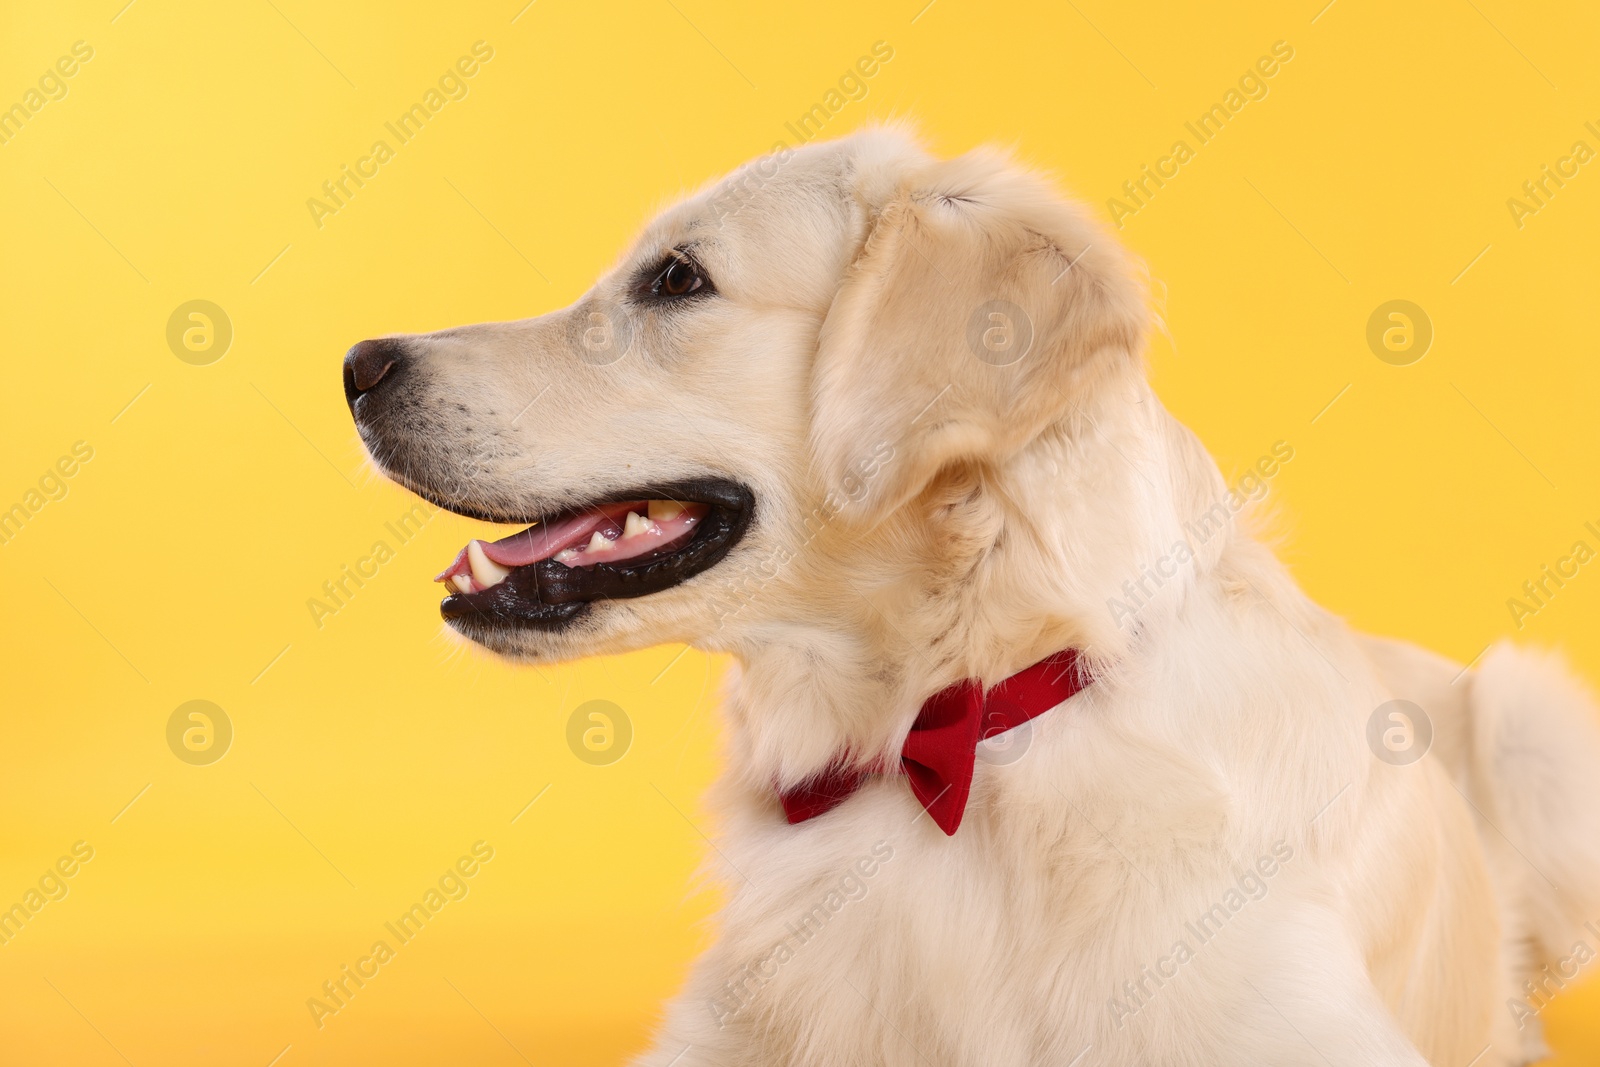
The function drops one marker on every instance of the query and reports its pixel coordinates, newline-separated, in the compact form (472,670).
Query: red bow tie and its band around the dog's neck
(943,745)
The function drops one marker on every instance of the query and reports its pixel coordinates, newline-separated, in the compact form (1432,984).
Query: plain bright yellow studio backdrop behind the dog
(369,754)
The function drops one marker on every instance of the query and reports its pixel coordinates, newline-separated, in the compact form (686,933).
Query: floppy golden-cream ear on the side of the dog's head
(978,310)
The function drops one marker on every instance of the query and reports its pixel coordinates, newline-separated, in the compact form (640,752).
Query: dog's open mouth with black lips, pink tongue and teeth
(628,546)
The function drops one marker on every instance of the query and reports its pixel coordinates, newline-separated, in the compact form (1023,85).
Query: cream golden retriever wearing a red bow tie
(878,426)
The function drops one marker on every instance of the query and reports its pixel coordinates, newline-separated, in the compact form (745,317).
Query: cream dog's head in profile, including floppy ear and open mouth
(734,425)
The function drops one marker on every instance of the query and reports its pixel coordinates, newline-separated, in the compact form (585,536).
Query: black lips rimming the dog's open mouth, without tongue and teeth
(550,596)
